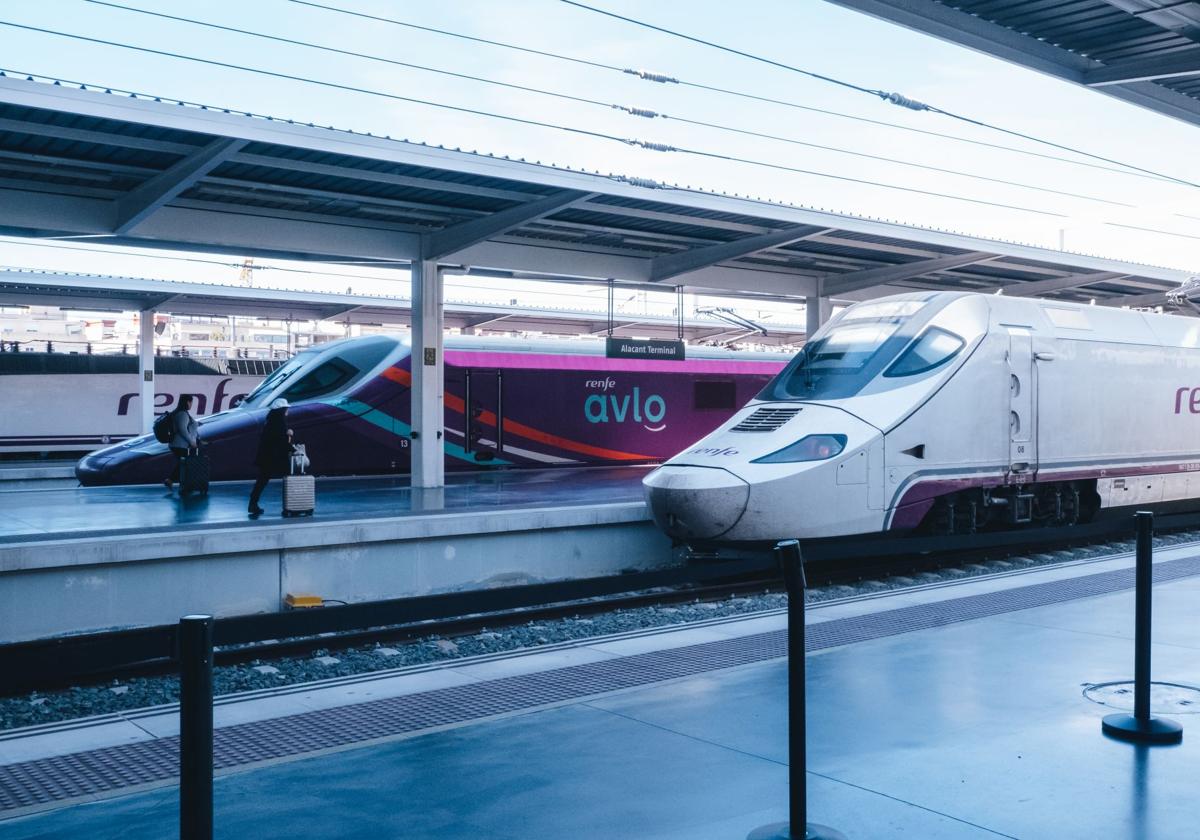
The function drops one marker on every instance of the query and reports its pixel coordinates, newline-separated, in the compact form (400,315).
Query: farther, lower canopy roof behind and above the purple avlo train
(103,293)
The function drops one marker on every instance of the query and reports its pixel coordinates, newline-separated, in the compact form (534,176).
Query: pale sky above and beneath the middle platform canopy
(812,34)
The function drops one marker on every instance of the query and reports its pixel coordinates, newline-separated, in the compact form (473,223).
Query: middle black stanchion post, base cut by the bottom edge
(799,826)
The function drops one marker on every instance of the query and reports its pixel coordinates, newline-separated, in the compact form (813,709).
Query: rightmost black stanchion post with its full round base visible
(1141,727)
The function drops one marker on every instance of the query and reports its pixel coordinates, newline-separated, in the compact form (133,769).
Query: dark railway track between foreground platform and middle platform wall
(52,664)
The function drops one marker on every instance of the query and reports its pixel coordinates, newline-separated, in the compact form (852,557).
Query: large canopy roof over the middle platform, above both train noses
(136,172)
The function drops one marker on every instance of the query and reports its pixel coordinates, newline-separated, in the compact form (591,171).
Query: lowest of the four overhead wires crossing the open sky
(574,130)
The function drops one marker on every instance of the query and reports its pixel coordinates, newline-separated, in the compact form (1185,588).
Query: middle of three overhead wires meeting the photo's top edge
(727,92)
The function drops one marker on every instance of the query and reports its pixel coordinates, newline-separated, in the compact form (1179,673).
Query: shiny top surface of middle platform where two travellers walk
(100,512)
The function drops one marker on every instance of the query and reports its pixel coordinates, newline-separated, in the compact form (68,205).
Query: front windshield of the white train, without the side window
(853,353)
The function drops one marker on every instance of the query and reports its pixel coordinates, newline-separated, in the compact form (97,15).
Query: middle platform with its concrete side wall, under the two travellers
(97,559)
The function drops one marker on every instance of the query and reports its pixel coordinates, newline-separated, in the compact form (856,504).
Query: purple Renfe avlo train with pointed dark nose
(507,405)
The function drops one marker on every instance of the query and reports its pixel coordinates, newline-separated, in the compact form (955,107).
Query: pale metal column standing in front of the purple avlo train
(428,412)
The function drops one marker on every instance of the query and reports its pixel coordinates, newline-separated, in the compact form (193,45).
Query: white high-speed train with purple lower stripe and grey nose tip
(950,413)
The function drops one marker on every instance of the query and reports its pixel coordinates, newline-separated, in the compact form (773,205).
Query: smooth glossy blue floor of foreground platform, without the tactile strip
(975,729)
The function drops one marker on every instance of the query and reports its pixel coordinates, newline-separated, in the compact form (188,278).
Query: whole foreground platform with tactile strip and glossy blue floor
(949,712)
